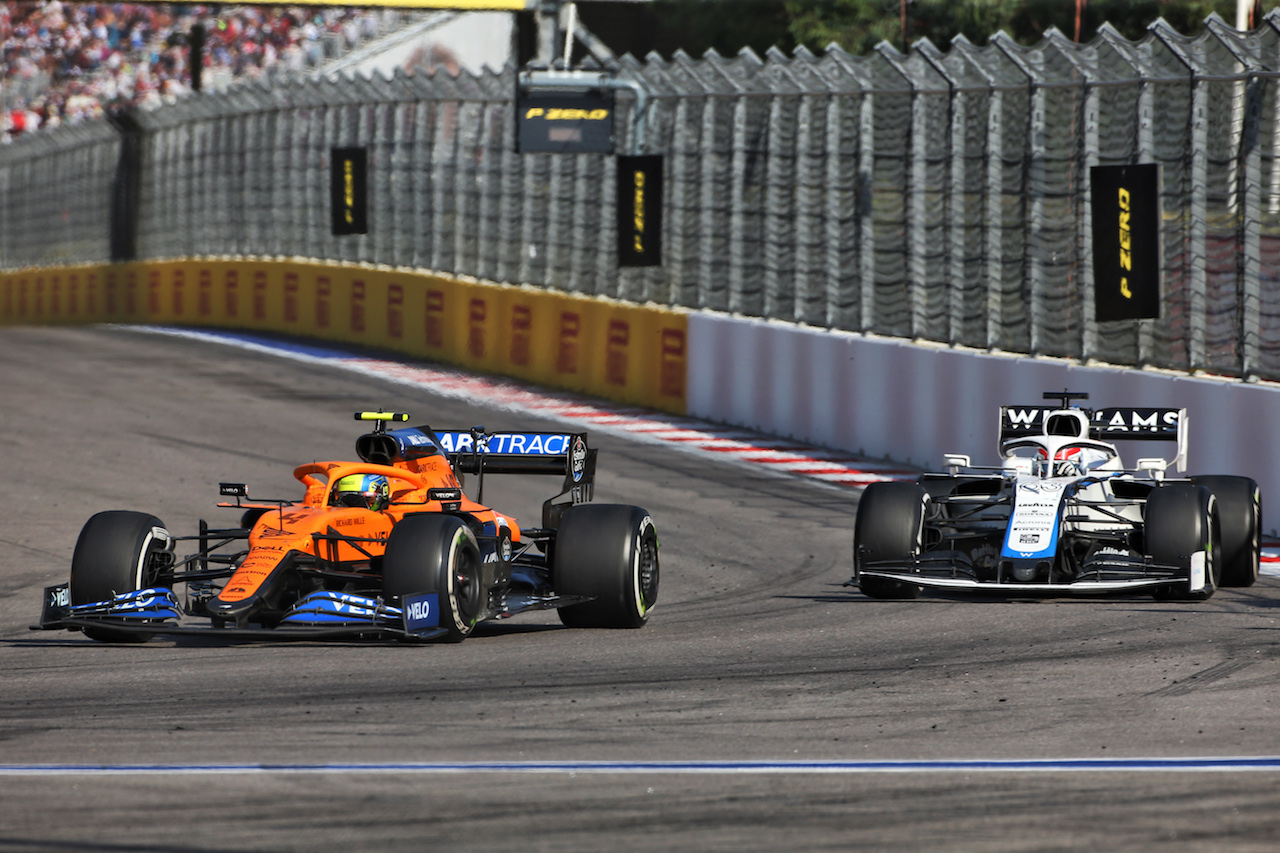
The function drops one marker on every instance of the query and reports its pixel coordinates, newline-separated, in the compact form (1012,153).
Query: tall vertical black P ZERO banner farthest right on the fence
(1126,241)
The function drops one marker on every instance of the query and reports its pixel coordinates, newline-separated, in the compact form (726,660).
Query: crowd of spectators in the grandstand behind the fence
(70,62)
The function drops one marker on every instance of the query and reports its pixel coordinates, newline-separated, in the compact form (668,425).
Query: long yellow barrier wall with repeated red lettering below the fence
(597,346)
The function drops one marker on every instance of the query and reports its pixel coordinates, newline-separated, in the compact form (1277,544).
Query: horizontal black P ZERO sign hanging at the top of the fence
(565,124)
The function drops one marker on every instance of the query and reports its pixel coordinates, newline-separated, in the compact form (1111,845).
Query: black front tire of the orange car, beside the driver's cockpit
(438,554)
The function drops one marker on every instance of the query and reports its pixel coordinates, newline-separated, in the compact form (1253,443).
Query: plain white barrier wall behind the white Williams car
(890,399)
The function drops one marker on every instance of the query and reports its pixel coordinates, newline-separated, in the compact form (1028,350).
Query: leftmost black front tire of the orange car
(113,556)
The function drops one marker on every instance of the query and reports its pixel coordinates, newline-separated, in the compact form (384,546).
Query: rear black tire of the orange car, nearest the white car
(609,553)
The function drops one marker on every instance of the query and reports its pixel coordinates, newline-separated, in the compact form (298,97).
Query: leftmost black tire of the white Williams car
(890,526)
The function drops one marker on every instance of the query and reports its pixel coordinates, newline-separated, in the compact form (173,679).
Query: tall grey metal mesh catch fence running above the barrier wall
(938,195)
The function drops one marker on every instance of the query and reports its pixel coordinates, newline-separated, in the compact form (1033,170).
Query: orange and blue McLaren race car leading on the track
(388,546)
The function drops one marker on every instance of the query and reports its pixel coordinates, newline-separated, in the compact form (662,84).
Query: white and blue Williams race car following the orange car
(1062,514)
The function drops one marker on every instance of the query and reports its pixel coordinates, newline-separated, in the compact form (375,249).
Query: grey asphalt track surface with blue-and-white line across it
(766,706)
